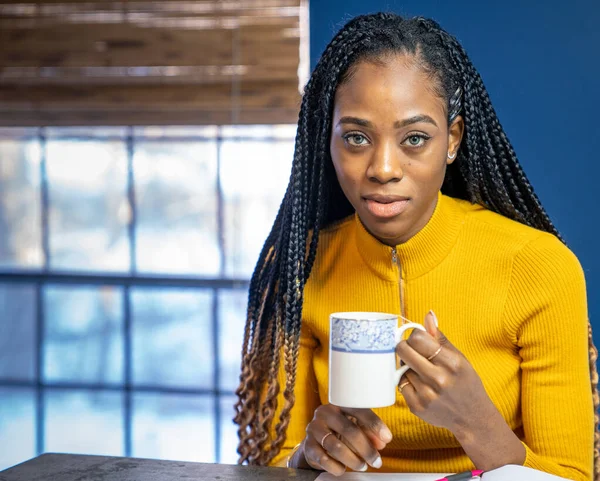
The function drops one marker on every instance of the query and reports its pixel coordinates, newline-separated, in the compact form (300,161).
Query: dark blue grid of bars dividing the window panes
(39,278)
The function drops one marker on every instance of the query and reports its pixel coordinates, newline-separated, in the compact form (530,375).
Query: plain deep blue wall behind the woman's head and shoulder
(541,66)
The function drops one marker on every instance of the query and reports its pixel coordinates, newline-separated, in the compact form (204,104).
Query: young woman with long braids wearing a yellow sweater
(406,197)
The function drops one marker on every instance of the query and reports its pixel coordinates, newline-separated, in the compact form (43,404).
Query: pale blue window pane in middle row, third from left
(172,337)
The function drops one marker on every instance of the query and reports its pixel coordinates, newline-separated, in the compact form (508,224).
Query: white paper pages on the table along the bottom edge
(505,473)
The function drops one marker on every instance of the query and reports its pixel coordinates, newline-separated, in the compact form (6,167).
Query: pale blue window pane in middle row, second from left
(83,337)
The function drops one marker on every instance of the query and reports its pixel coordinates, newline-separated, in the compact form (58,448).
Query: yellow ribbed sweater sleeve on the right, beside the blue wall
(546,317)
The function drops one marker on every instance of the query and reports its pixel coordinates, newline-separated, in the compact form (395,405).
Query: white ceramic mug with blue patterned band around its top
(362,358)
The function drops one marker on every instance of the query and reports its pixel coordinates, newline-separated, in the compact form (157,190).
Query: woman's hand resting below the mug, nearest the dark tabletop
(357,436)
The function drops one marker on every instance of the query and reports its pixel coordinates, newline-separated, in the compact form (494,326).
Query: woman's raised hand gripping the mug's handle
(441,387)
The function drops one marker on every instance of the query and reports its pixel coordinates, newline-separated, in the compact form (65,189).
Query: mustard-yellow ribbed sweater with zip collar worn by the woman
(509,297)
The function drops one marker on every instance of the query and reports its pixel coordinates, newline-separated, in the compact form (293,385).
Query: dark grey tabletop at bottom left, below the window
(78,467)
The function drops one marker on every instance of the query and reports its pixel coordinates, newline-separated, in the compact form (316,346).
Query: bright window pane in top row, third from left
(175,186)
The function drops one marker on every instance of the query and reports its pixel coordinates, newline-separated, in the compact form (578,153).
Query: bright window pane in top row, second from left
(89,208)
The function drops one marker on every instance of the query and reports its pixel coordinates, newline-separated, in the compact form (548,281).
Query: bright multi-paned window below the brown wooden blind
(125,258)
